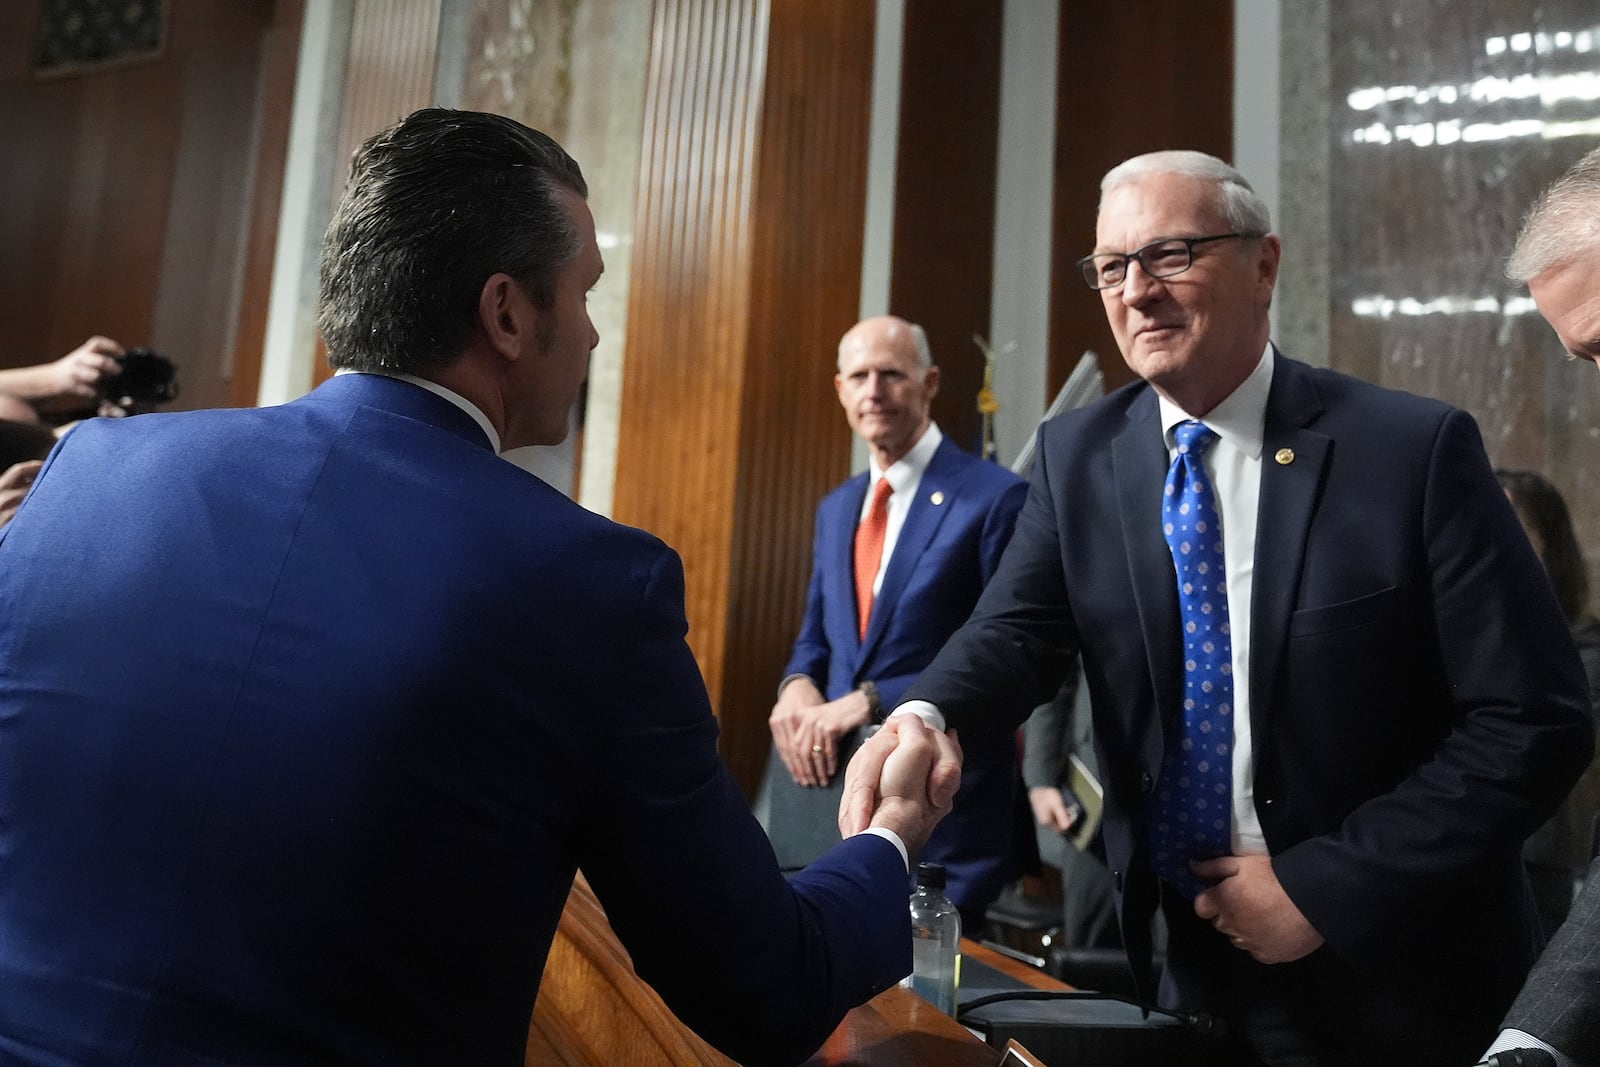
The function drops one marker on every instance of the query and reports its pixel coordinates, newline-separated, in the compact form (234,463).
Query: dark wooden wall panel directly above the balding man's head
(945,194)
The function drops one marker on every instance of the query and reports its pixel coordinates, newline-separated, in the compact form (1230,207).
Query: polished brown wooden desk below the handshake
(594,1010)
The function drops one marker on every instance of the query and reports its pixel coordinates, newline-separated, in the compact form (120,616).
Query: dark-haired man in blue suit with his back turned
(310,714)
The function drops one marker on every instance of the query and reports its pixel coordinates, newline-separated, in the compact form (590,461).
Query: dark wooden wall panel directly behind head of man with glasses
(1126,84)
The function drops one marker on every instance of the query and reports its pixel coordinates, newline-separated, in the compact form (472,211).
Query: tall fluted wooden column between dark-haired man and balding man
(746,273)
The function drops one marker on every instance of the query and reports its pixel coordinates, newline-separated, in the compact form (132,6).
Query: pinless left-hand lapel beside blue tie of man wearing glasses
(1140,466)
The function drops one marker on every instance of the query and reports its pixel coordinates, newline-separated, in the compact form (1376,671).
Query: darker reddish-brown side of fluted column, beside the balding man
(807,294)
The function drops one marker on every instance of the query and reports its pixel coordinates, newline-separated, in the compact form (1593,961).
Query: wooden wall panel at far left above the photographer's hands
(124,193)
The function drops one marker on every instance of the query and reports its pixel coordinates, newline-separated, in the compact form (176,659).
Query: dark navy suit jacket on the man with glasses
(1417,701)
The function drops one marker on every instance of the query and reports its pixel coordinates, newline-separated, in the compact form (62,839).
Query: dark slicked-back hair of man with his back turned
(434,207)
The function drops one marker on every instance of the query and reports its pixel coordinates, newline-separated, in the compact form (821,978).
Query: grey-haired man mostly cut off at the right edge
(1559,257)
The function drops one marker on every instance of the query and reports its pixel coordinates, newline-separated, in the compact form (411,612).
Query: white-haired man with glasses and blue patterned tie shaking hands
(1332,690)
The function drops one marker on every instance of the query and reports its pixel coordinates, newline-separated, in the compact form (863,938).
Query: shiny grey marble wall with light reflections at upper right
(1415,135)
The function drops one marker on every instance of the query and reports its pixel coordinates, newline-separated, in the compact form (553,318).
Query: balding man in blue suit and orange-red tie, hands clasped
(900,556)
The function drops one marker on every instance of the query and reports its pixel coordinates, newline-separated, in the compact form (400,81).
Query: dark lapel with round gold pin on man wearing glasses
(1294,463)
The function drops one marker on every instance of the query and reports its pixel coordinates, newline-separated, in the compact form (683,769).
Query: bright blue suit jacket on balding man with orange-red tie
(948,549)
